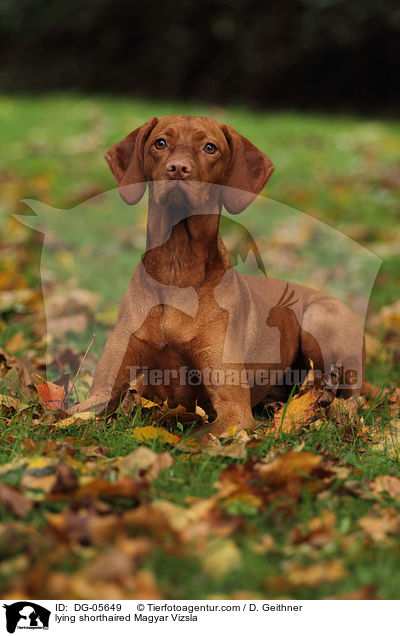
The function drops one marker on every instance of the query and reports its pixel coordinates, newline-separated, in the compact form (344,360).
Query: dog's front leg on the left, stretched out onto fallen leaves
(113,372)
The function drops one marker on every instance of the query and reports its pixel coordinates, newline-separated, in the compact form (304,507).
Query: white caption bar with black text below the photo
(172,617)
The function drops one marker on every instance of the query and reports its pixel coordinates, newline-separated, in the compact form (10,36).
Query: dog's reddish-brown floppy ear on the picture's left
(126,162)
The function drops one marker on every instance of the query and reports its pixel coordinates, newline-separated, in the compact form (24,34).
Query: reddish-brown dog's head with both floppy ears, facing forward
(184,158)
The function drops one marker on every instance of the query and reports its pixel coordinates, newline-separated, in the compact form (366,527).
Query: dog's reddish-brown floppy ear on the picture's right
(248,172)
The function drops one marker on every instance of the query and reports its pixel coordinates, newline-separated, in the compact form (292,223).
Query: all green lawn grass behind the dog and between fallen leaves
(339,170)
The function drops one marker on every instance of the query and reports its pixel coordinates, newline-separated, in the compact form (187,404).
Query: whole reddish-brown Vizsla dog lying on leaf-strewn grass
(187,309)
